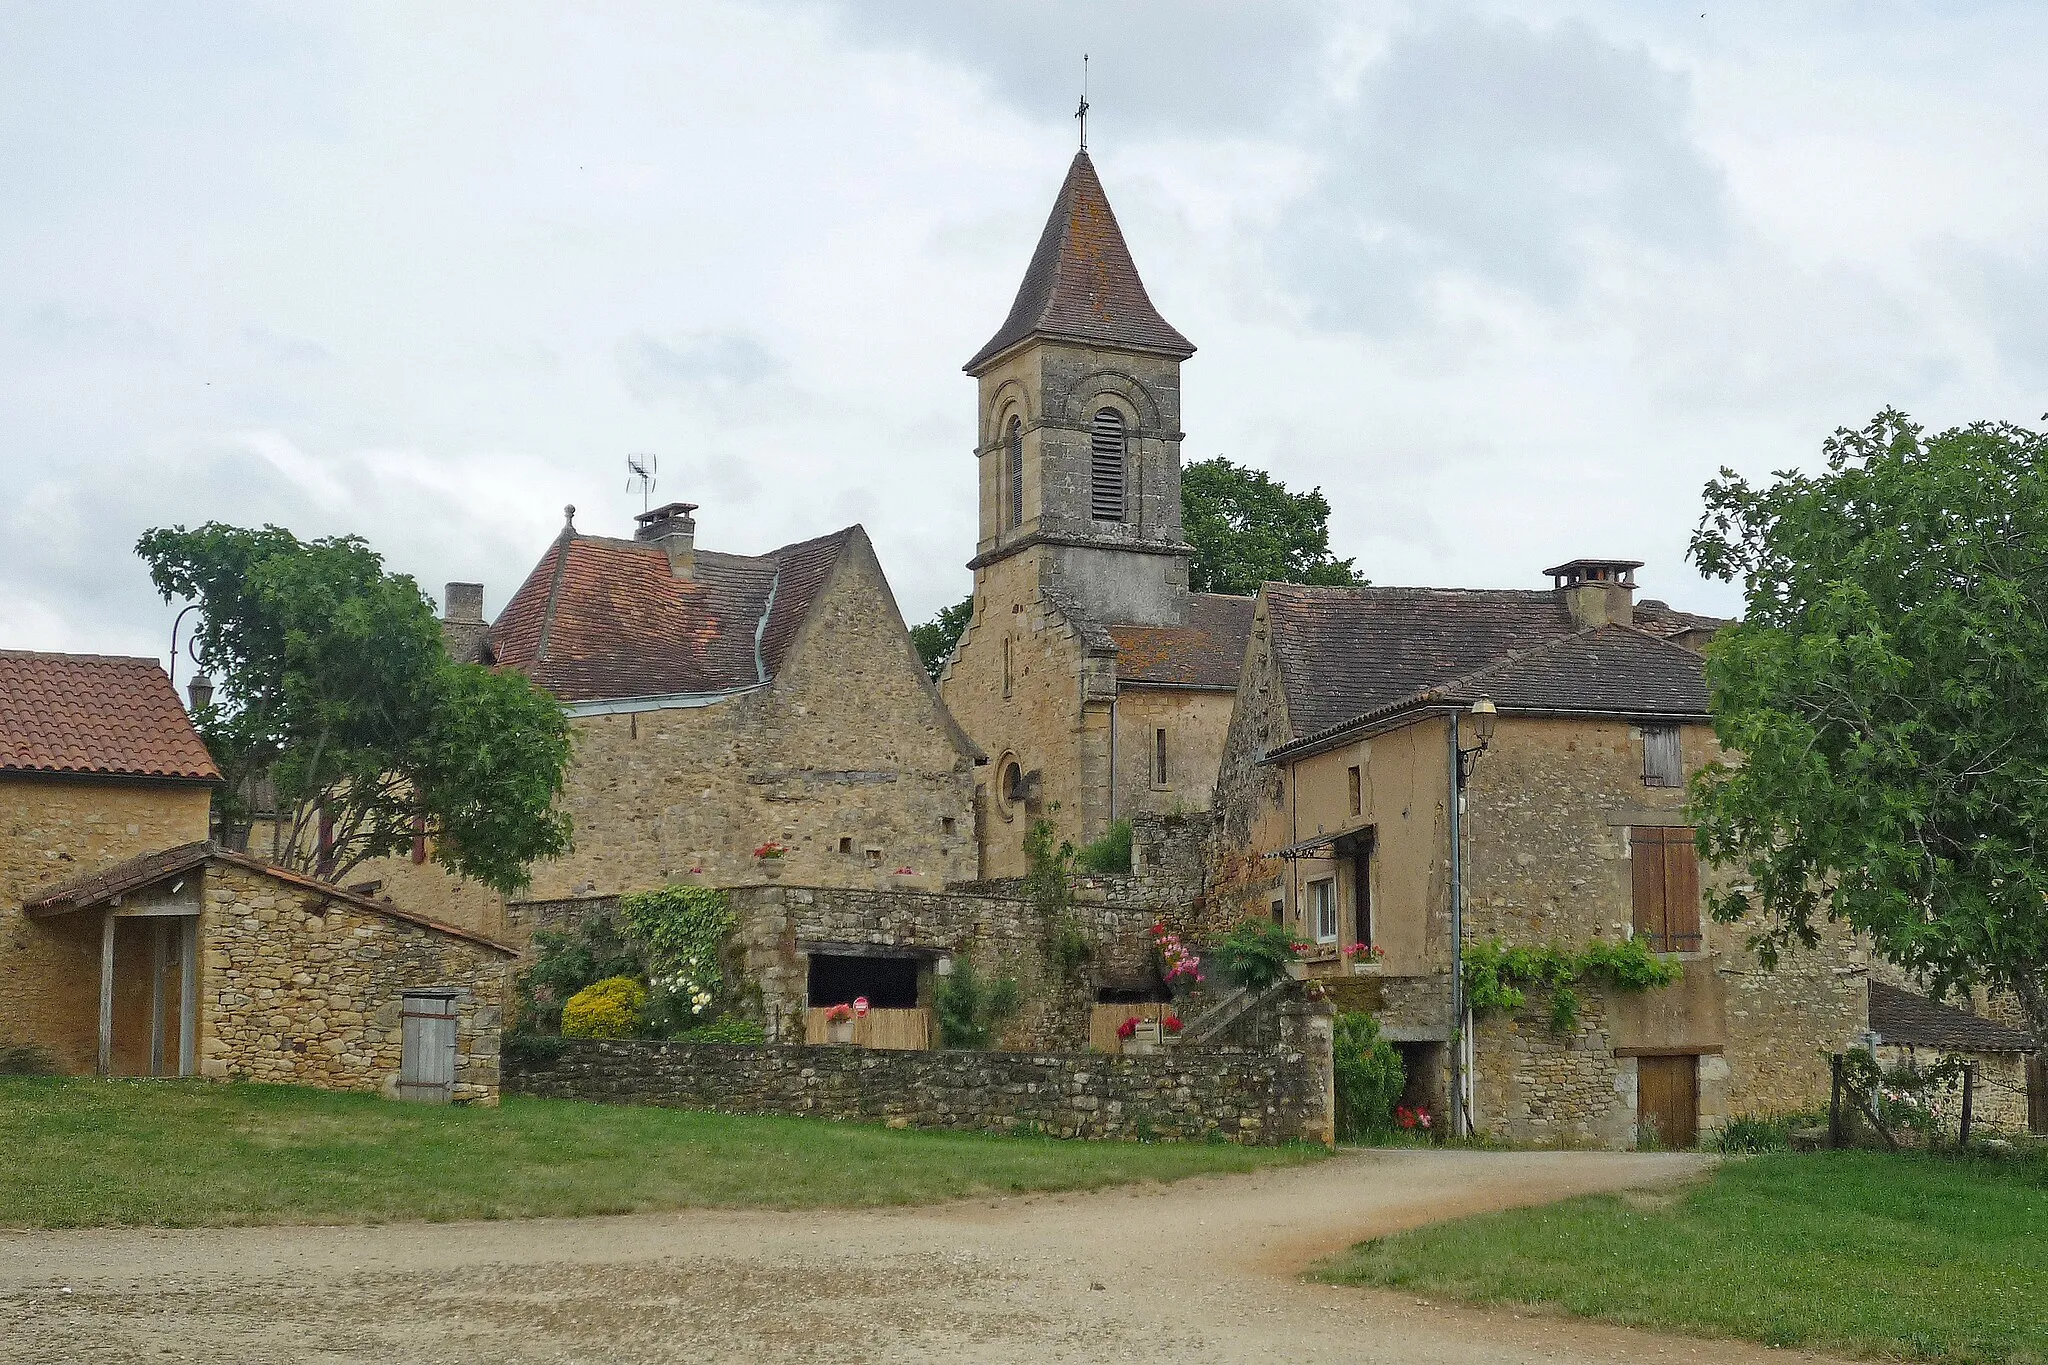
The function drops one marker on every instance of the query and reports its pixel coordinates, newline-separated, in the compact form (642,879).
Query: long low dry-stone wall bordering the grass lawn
(1258,1098)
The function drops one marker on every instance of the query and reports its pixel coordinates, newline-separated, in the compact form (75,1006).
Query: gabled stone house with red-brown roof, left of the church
(720,703)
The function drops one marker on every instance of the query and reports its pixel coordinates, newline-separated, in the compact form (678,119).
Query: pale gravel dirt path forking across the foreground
(1197,1272)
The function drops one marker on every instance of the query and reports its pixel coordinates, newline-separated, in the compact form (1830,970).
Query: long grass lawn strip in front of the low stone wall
(191,1153)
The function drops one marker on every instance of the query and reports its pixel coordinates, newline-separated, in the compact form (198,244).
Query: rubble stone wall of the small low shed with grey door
(306,989)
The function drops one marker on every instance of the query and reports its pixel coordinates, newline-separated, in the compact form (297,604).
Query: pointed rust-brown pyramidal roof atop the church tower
(1082,283)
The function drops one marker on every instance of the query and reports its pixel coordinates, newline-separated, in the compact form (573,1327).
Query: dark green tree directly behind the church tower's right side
(1246,529)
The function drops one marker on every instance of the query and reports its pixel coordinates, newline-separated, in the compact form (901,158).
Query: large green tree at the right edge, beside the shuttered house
(1889,697)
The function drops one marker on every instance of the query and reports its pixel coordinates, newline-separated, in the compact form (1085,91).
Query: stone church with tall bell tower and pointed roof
(1093,678)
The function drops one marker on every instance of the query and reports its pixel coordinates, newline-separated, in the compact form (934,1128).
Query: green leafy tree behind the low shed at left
(333,682)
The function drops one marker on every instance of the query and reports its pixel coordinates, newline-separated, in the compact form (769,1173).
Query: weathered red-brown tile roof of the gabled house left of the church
(605,619)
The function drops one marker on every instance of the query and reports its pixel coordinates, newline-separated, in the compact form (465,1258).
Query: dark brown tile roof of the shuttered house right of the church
(1349,654)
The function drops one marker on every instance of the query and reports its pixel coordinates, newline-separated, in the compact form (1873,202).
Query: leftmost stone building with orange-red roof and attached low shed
(132,946)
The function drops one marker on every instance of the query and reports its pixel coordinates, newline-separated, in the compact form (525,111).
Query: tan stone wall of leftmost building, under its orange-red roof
(54,830)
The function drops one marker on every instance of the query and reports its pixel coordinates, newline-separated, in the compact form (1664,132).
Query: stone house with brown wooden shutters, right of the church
(1342,818)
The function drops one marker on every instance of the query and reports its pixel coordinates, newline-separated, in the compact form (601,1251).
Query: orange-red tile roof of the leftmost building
(95,715)
